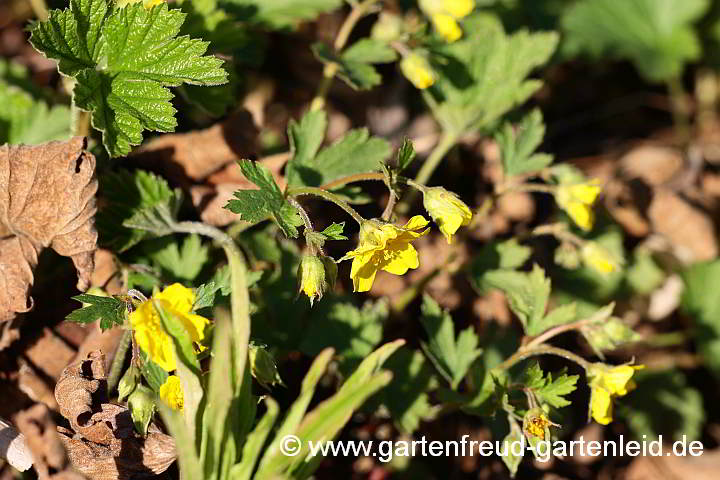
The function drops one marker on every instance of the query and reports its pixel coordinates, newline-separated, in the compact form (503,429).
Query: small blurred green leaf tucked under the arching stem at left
(183,263)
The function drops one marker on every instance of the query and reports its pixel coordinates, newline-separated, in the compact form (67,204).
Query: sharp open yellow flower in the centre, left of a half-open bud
(384,246)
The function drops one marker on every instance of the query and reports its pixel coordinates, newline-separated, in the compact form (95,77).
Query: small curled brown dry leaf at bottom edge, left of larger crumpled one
(49,457)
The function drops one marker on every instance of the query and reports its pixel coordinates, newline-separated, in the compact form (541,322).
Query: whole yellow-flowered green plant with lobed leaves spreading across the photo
(205,330)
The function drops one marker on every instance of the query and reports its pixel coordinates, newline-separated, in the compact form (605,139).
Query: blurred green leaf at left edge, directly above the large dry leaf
(25,120)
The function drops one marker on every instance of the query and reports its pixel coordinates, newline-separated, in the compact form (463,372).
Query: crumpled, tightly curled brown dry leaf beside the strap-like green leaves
(102,443)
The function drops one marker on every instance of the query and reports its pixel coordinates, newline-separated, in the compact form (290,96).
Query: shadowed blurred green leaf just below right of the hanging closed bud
(353,332)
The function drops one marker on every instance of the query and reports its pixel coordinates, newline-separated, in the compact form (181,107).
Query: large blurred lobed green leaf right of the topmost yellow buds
(484,75)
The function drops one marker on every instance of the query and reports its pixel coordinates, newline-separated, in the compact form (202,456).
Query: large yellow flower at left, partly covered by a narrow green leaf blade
(149,332)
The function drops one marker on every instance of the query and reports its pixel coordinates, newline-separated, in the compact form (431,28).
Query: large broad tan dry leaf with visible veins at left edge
(47,199)
